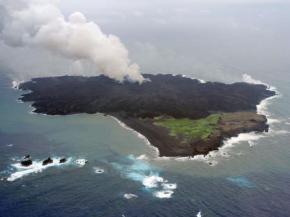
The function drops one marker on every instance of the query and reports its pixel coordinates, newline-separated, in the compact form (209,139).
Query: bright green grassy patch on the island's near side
(188,128)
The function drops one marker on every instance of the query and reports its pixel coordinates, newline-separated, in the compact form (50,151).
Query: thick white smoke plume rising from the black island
(41,24)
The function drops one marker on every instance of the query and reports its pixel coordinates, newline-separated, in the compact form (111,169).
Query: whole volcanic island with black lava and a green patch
(178,115)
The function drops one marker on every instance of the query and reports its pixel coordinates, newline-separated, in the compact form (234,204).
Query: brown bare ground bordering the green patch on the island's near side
(229,125)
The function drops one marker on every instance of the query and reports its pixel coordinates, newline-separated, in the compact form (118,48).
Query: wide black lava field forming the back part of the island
(170,95)
